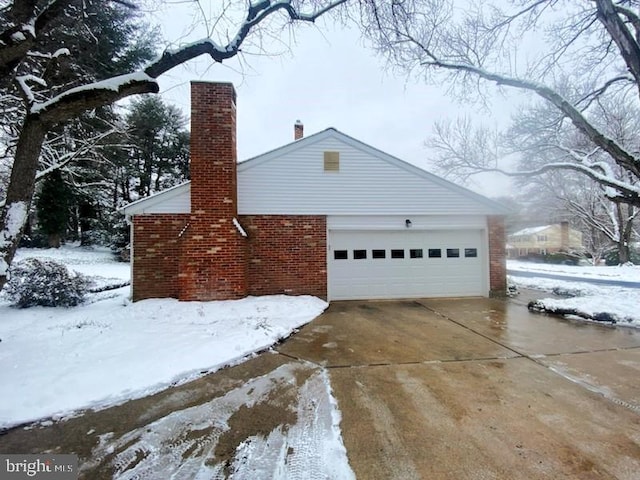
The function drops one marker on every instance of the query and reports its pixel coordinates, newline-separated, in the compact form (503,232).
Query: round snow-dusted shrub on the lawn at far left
(44,283)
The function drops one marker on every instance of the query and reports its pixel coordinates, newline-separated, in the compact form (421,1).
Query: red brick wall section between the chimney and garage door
(286,254)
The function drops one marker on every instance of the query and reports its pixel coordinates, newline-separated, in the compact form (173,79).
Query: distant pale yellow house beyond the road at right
(543,240)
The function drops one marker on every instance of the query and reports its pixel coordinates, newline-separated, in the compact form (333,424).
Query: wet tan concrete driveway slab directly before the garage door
(478,389)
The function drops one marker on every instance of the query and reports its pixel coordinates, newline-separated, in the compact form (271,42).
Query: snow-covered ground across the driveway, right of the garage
(620,303)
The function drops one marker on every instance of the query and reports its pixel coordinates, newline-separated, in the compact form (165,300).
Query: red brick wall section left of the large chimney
(156,255)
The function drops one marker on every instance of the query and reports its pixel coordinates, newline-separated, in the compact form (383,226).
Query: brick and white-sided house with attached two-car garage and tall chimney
(325,215)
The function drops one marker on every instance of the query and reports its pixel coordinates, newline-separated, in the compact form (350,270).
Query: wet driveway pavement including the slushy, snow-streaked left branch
(430,389)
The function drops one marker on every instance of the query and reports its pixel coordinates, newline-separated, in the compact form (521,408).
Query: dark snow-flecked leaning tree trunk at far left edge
(20,191)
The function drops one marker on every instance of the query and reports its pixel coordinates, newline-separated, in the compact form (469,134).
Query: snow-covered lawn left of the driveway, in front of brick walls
(109,350)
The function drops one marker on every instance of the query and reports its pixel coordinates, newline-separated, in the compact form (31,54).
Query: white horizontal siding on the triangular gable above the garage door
(292,180)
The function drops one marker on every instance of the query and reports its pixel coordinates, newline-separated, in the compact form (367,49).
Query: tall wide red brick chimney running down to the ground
(213,253)
